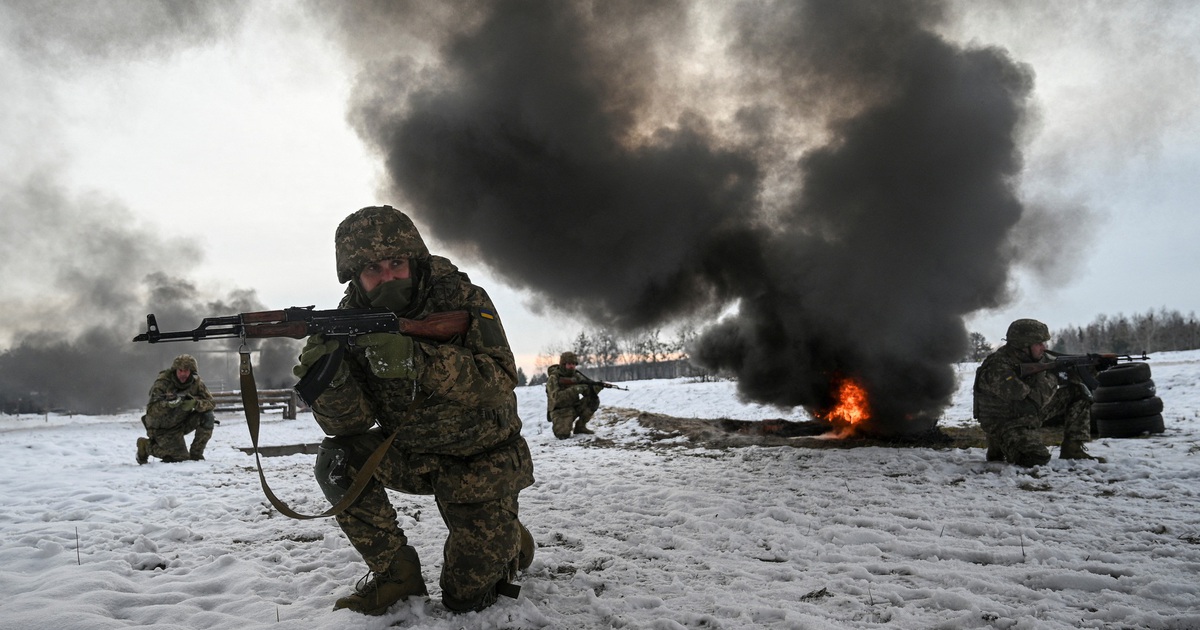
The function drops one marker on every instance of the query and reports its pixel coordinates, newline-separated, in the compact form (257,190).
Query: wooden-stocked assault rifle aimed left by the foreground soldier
(341,325)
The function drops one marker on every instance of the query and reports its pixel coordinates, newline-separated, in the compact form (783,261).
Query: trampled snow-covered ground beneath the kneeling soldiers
(661,536)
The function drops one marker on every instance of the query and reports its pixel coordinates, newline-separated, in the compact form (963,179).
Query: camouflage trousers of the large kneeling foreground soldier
(484,536)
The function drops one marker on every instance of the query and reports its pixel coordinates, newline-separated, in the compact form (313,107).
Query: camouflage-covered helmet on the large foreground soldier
(374,235)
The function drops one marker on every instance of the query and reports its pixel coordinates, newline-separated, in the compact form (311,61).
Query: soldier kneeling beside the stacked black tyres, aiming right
(1012,409)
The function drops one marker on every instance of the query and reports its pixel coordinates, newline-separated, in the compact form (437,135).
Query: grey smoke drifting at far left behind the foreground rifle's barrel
(89,278)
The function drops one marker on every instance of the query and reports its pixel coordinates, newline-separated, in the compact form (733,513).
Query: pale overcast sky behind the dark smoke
(220,141)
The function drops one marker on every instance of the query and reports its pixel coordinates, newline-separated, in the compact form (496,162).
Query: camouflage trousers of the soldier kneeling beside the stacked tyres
(1019,439)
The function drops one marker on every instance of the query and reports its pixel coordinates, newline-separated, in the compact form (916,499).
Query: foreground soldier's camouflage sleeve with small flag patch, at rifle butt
(482,371)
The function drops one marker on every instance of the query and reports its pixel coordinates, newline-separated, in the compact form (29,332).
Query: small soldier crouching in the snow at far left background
(179,405)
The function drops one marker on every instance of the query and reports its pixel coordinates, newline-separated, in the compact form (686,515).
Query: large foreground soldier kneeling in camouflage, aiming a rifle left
(452,407)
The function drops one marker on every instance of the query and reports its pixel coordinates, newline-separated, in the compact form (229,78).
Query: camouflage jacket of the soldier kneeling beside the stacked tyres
(1000,391)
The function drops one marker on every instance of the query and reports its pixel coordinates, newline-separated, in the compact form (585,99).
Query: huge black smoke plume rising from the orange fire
(848,178)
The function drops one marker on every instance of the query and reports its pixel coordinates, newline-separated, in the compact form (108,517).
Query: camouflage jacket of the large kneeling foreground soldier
(463,403)
